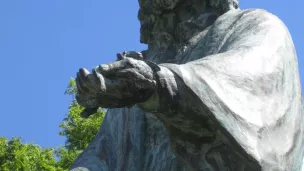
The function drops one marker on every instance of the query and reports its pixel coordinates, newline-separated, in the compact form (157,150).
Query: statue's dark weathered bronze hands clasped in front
(119,84)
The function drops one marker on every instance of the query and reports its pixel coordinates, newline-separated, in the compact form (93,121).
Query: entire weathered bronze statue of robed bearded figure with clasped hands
(218,89)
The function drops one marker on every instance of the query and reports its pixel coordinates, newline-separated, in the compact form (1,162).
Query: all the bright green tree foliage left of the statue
(18,156)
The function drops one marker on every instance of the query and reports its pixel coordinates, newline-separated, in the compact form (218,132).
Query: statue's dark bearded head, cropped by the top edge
(163,17)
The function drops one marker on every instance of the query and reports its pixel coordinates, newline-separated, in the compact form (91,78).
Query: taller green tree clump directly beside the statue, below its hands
(79,132)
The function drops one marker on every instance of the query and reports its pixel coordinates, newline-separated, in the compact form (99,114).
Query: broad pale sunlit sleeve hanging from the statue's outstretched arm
(251,88)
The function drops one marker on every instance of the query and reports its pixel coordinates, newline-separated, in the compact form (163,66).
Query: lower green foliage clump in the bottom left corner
(26,157)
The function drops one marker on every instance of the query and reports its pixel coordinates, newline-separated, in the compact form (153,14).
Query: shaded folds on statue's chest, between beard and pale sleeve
(208,42)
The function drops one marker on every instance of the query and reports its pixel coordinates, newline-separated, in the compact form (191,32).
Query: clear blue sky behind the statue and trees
(44,42)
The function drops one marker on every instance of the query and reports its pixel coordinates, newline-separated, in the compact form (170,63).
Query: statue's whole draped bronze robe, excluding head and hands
(230,101)
